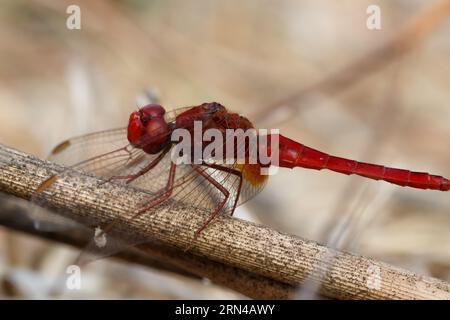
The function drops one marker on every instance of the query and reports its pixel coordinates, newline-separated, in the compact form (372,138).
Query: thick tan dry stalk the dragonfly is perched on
(256,257)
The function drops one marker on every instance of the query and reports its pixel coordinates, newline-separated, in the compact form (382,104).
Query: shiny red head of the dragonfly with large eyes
(148,130)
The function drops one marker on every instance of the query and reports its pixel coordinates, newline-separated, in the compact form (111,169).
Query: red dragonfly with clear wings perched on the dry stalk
(140,155)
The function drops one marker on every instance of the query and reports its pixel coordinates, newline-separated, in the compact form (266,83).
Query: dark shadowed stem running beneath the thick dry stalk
(14,215)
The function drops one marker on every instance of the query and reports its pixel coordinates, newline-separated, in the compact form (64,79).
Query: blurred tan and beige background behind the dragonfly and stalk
(247,55)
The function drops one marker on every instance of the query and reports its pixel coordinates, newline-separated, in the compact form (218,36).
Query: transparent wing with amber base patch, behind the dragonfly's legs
(193,188)
